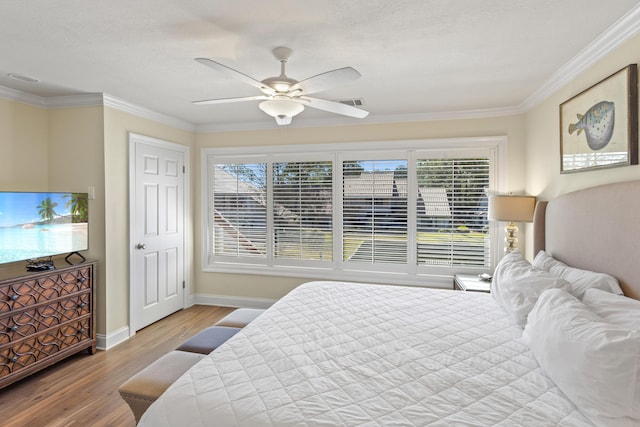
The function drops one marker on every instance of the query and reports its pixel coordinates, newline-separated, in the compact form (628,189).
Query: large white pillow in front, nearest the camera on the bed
(595,363)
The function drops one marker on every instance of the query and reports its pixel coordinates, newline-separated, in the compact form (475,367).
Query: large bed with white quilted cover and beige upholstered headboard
(332,353)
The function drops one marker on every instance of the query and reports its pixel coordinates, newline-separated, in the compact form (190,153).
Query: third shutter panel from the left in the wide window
(374,219)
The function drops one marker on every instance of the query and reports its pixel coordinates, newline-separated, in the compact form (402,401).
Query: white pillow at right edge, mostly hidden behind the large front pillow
(616,309)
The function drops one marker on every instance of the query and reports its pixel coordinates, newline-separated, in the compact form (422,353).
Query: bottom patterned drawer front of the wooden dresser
(29,351)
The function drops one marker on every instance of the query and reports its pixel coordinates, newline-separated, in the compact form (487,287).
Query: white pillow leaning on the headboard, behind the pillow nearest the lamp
(580,280)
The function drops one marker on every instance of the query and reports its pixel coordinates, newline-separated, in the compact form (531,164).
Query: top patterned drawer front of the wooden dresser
(41,289)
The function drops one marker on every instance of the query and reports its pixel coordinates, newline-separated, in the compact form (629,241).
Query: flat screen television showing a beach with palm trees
(39,225)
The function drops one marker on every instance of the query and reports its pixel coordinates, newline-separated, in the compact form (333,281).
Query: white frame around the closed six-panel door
(134,140)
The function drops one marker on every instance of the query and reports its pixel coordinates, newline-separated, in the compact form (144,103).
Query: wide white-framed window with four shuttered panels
(352,211)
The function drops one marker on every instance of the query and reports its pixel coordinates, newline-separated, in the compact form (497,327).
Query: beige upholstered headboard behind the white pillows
(595,229)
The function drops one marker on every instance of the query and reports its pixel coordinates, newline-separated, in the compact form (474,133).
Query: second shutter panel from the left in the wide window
(302,210)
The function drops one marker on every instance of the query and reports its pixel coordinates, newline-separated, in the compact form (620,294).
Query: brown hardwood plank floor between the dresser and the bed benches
(83,390)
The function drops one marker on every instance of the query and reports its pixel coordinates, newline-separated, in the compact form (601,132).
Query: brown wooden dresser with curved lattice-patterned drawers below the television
(44,318)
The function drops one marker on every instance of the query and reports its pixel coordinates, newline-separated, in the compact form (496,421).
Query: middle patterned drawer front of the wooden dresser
(31,321)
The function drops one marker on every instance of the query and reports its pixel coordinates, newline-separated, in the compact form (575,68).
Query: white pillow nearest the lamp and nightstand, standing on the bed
(516,285)
